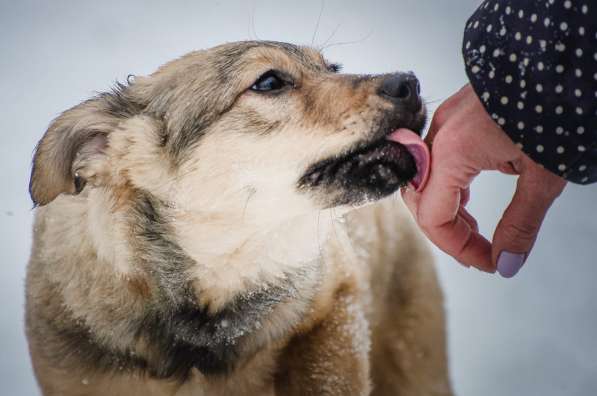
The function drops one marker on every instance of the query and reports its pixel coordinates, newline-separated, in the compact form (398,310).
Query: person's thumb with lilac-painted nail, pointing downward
(517,231)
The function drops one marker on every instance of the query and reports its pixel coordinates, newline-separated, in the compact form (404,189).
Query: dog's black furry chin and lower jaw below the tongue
(368,172)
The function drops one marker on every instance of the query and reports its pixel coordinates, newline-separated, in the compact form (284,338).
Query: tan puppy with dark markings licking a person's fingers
(226,226)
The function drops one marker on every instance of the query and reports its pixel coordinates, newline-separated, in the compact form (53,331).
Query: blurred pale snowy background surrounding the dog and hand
(532,335)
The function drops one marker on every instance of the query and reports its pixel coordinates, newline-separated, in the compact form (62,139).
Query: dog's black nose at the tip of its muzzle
(403,89)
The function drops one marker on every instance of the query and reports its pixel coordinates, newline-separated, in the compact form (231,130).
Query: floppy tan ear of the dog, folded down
(72,151)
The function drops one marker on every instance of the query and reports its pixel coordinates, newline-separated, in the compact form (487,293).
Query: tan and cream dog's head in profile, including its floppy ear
(250,127)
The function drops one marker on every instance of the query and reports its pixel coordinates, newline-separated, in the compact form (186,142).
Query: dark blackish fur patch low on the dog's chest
(191,337)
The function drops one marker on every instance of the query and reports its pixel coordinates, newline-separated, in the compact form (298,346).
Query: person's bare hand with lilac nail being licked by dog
(465,141)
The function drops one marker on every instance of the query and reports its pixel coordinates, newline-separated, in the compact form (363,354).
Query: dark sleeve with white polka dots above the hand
(533,63)
